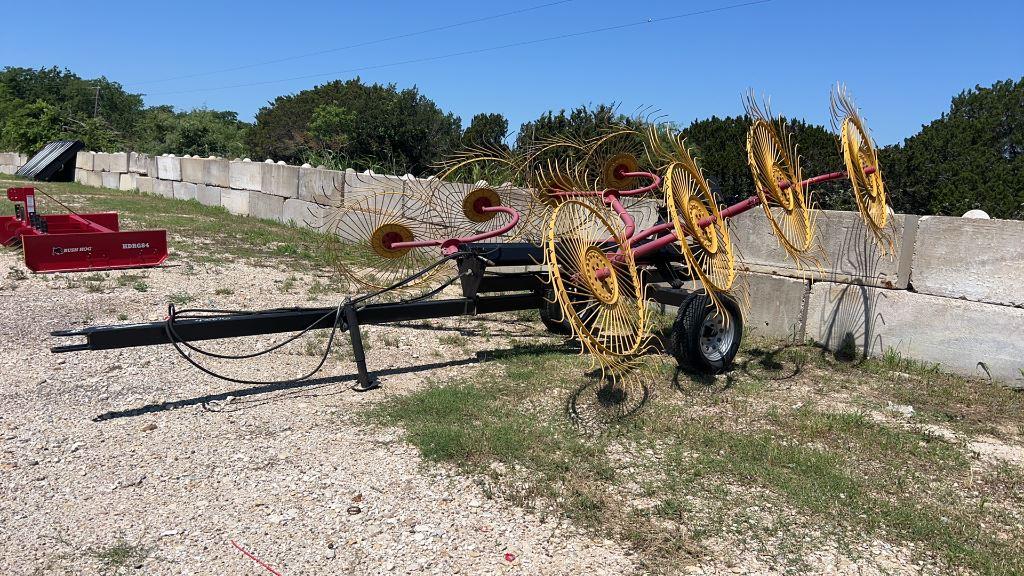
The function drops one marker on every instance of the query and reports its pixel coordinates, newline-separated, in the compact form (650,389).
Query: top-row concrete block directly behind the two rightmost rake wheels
(850,253)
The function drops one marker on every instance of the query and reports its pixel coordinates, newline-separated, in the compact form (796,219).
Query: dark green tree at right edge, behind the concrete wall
(972,157)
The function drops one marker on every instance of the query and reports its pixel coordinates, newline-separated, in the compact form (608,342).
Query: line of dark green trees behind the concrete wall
(971,157)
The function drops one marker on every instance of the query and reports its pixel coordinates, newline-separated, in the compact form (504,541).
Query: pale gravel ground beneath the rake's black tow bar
(277,470)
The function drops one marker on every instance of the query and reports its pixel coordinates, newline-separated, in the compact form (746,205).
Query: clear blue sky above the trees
(903,61)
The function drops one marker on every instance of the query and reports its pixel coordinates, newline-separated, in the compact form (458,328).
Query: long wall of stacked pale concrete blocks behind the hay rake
(950,291)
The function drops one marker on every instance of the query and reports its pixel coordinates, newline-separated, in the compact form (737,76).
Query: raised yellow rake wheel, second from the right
(774,162)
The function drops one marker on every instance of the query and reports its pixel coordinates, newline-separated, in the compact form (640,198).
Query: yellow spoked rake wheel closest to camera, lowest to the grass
(596,283)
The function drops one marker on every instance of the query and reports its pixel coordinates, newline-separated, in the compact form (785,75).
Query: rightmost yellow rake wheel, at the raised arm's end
(860,154)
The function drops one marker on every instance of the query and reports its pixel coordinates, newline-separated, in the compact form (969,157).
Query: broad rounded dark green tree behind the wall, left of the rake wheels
(376,127)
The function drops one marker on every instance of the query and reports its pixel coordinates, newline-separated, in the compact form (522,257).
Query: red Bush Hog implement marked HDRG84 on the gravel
(77,242)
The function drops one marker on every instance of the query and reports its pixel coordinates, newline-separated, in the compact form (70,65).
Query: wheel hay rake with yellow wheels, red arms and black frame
(572,220)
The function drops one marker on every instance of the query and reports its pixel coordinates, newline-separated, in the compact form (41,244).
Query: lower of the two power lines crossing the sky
(474,52)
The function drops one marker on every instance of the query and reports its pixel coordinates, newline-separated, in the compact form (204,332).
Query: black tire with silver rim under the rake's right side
(701,339)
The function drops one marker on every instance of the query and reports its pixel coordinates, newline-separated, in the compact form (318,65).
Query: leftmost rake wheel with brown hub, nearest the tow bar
(363,232)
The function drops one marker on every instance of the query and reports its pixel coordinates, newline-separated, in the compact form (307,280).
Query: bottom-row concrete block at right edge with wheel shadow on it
(869,321)
